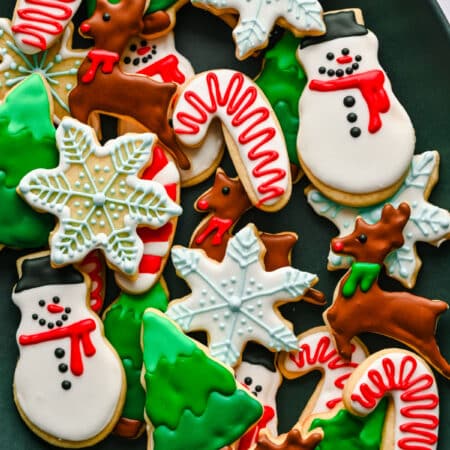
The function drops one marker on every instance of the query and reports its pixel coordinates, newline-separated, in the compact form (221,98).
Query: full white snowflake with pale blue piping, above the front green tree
(234,300)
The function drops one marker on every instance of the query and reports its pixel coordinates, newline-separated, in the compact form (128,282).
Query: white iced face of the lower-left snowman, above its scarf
(50,307)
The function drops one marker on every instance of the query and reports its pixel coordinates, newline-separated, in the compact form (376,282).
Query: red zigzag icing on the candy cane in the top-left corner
(41,22)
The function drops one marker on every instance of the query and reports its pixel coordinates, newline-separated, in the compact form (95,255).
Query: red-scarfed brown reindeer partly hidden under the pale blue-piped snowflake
(226,201)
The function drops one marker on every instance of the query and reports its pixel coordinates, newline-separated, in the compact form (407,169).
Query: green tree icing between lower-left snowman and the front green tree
(123,329)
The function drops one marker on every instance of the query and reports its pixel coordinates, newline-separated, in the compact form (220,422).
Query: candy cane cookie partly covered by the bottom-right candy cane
(317,352)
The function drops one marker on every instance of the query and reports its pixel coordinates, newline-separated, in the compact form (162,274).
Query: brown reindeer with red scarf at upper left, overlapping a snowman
(103,87)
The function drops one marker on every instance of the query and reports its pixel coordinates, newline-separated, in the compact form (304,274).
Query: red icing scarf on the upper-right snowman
(371,86)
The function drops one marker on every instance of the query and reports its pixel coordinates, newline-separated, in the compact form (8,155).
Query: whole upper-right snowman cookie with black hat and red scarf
(355,140)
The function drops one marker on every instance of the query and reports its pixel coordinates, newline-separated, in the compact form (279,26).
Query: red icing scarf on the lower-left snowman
(79,334)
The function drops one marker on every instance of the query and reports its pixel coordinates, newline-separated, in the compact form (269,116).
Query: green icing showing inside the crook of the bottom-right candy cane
(345,431)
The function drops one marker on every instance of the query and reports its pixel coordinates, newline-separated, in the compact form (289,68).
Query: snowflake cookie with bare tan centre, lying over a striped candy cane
(97,196)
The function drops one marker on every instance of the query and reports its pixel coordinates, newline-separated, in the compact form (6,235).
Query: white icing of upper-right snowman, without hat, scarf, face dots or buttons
(361,165)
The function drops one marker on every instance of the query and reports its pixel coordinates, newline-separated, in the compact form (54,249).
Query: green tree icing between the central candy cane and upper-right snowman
(283,80)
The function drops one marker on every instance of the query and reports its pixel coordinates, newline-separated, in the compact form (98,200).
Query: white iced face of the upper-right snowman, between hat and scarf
(340,57)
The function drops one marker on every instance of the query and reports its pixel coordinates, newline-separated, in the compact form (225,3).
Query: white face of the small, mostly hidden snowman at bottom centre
(261,382)
